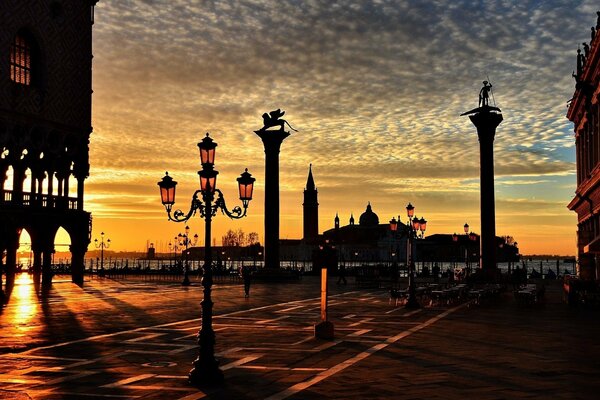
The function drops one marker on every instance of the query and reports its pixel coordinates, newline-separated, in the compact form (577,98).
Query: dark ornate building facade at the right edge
(584,112)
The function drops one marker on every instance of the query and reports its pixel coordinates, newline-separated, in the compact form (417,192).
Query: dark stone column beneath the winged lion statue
(272,141)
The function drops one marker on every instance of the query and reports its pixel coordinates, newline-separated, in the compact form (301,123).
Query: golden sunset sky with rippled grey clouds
(375,90)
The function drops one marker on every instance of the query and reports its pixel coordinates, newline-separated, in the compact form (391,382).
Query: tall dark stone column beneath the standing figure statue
(486,120)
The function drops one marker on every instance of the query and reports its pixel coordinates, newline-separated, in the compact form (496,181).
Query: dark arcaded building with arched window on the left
(45,125)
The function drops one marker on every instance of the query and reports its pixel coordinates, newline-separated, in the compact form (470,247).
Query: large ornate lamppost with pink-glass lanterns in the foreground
(206,367)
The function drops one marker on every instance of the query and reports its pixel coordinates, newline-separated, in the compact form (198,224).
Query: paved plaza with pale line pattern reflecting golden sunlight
(135,339)
